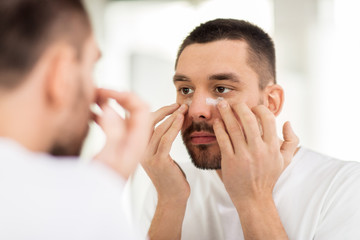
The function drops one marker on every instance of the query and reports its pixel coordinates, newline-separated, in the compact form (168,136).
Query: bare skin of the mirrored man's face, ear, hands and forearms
(252,159)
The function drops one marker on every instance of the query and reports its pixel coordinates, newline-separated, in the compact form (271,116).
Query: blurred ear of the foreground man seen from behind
(59,75)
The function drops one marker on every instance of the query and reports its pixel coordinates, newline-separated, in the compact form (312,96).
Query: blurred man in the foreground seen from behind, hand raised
(47,55)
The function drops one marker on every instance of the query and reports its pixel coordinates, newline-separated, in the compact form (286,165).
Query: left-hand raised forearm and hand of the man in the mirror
(170,183)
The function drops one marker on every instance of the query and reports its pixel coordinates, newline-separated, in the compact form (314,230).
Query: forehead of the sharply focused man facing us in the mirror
(217,60)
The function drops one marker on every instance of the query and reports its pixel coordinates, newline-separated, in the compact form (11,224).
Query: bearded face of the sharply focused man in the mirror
(204,73)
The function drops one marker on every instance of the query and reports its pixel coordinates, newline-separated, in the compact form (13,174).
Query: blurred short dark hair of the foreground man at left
(28,27)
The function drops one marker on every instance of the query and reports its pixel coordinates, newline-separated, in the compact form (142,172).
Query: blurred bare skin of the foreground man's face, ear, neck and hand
(60,89)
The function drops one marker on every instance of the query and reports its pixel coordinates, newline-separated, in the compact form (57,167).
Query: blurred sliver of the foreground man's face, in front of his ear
(82,95)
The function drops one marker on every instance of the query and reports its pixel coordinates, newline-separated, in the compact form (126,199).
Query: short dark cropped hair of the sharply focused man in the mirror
(261,47)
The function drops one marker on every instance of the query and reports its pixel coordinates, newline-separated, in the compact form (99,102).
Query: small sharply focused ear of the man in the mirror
(274,98)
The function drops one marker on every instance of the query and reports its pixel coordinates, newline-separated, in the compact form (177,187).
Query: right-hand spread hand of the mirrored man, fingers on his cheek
(251,161)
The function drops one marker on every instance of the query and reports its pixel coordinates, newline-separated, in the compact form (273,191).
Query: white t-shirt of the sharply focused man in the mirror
(317,197)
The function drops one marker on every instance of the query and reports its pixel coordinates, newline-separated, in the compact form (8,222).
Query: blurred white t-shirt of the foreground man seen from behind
(43,197)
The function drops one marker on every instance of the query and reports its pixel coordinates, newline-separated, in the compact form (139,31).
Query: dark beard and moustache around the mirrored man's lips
(203,156)
